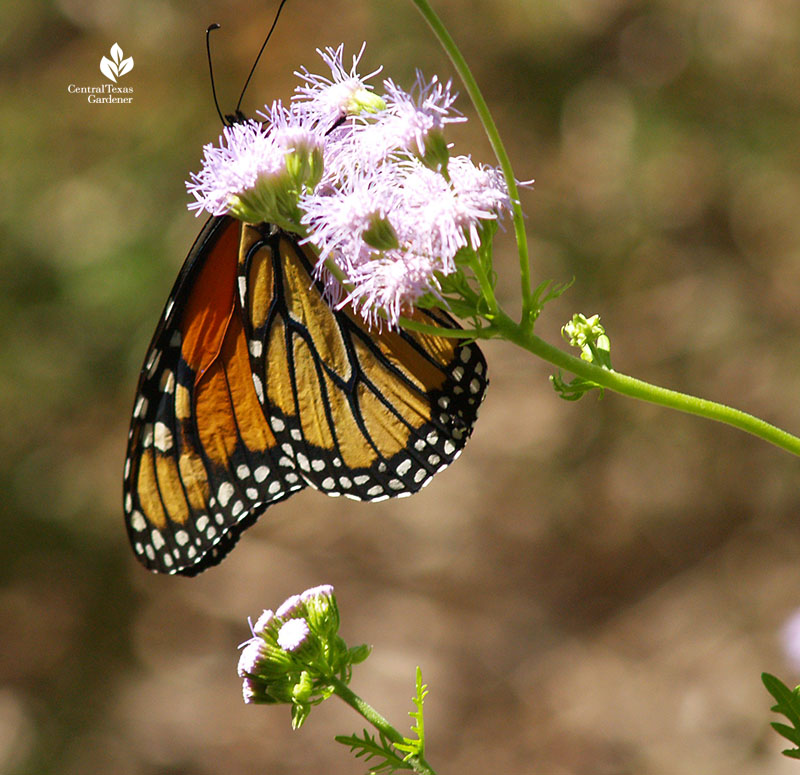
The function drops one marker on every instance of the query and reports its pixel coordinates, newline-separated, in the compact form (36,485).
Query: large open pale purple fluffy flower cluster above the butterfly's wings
(367,180)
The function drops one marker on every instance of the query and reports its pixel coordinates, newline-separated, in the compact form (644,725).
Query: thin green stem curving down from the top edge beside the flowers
(485,116)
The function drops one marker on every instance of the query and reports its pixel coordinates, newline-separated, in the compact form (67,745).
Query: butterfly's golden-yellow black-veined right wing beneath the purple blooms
(362,414)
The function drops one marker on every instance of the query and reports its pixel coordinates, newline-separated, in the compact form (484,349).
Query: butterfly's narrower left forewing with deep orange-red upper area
(197,431)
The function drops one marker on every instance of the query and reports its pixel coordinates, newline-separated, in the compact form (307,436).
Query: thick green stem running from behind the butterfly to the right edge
(636,388)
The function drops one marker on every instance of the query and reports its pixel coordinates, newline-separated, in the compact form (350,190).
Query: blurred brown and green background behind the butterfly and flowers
(593,587)
